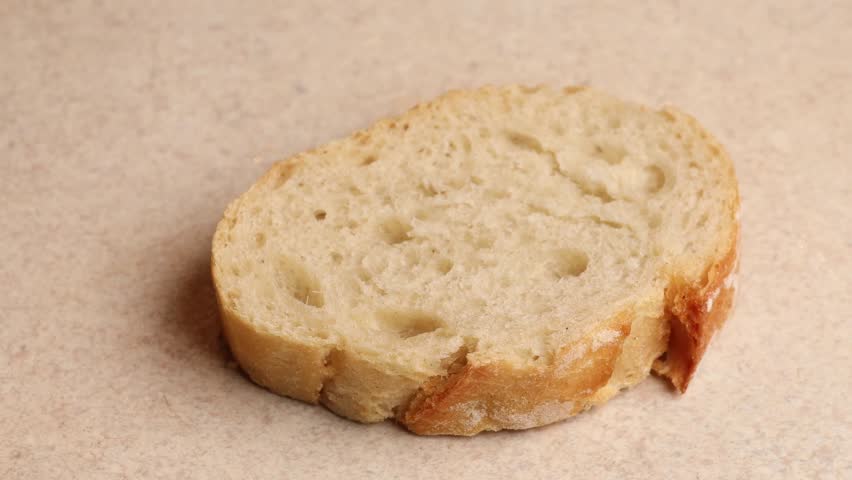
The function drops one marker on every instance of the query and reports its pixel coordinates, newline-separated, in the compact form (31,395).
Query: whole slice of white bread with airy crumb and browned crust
(497,258)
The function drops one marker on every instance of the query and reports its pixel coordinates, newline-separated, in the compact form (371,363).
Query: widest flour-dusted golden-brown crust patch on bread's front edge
(497,396)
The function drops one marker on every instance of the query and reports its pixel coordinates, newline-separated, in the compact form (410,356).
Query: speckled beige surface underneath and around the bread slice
(125,129)
